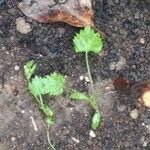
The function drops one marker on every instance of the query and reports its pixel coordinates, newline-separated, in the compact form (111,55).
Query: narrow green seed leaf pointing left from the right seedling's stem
(79,96)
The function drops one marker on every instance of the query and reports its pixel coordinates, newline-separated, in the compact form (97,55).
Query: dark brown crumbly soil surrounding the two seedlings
(126,54)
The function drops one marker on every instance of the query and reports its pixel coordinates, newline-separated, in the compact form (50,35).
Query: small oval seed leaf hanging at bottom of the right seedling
(96,120)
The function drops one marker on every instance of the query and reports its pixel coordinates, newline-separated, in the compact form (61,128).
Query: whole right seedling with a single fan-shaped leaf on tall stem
(88,41)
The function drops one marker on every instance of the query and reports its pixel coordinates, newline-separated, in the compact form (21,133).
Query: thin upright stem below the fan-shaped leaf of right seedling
(89,74)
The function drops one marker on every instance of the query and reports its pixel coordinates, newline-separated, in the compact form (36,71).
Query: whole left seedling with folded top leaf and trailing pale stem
(38,86)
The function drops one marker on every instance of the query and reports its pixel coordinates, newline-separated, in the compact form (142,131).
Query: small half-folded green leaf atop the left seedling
(29,69)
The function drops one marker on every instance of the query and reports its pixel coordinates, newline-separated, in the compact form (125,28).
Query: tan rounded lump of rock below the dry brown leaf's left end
(22,26)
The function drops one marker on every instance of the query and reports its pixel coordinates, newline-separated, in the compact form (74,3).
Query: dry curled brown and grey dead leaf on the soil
(75,12)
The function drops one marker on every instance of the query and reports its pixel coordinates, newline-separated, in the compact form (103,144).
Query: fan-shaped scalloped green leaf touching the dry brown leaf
(87,41)
